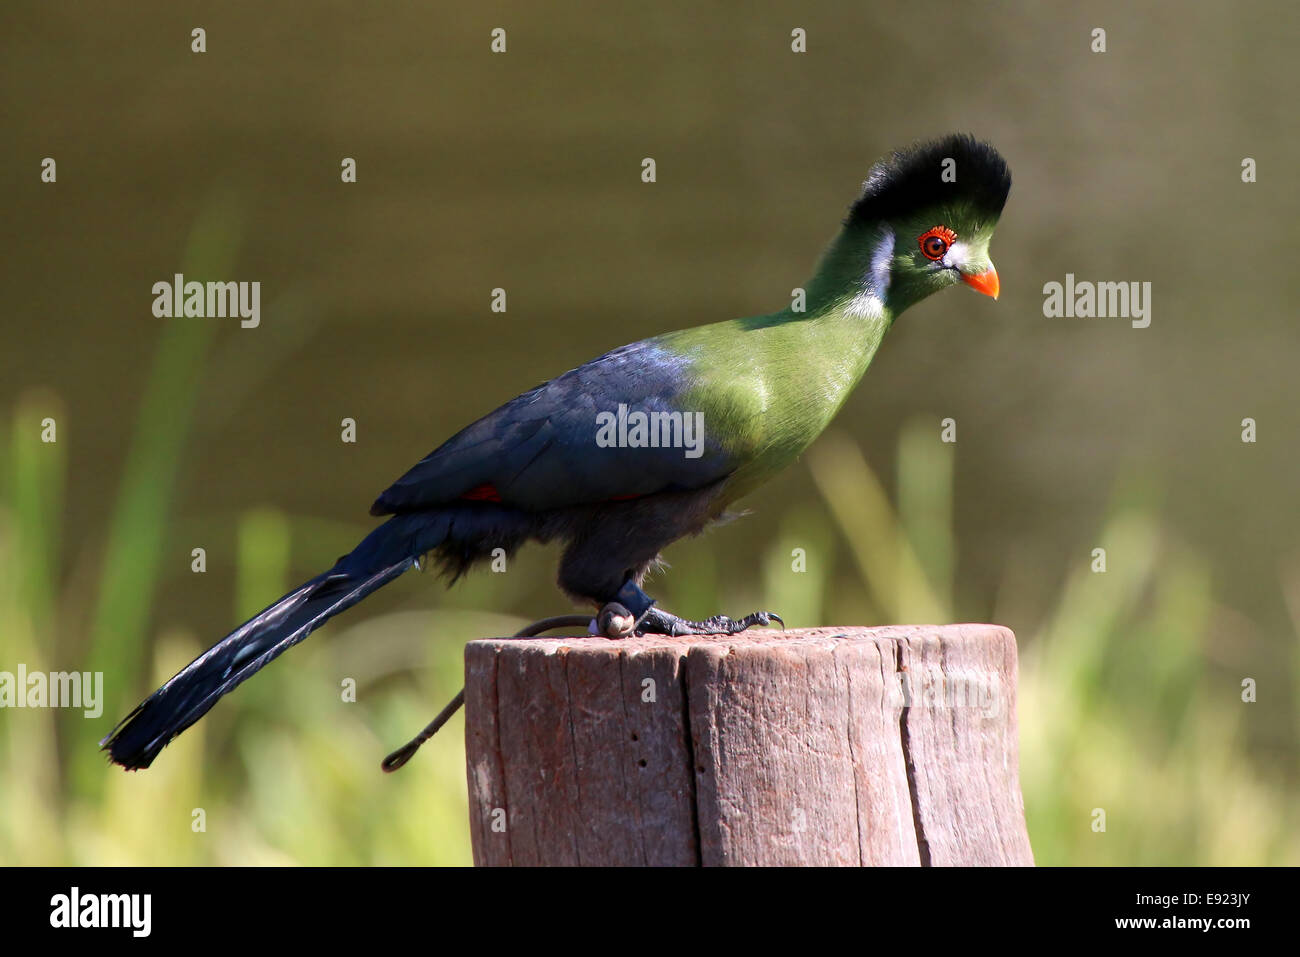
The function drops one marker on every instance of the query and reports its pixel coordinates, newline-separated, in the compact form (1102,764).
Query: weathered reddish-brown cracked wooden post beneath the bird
(821,747)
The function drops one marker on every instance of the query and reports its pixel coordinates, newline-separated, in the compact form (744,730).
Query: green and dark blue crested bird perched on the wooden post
(645,445)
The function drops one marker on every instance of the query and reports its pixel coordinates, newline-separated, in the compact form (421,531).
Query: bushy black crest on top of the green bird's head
(912,180)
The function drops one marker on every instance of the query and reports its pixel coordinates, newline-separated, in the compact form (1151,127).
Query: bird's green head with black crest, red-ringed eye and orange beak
(924,222)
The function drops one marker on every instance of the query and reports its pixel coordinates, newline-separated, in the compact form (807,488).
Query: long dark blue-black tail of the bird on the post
(385,555)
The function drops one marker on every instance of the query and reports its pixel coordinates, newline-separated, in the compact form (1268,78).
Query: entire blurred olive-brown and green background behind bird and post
(522,171)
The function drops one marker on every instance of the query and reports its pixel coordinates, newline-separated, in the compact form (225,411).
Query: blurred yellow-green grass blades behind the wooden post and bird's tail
(1119,709)
